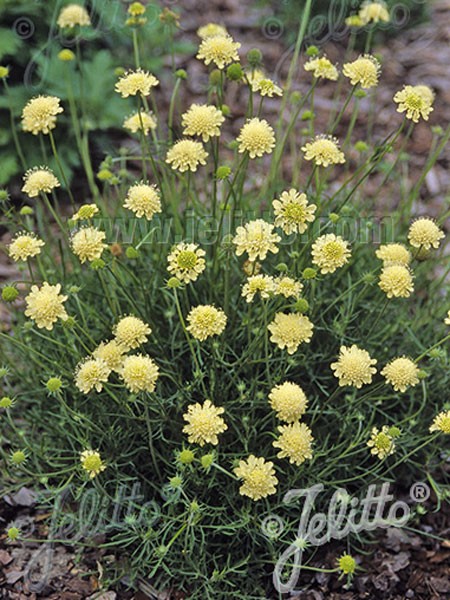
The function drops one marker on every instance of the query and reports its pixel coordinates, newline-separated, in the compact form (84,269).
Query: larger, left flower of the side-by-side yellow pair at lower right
(354,366)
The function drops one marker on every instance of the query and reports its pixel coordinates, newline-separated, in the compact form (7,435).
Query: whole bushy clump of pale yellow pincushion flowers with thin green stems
(221,313)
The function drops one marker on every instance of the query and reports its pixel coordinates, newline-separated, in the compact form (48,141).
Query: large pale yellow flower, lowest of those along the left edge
(45,305)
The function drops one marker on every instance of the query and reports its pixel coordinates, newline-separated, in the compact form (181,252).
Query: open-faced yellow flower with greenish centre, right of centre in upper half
(292,212)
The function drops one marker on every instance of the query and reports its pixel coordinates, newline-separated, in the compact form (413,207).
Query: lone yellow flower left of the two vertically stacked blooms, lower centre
(204,423)
